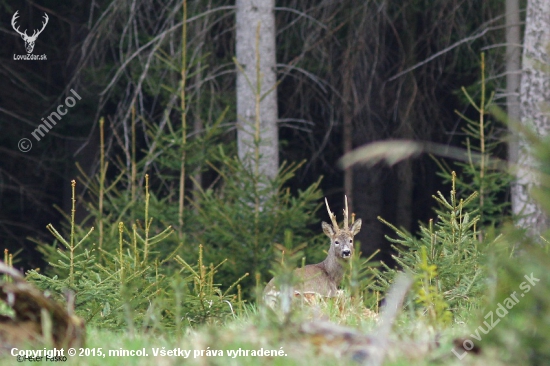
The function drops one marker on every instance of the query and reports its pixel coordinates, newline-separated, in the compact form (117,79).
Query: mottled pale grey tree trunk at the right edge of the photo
(534,102)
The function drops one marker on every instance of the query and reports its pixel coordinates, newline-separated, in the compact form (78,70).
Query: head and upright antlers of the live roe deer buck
(341,240)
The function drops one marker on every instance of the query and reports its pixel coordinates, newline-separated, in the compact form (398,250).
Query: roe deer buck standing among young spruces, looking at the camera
(325,277)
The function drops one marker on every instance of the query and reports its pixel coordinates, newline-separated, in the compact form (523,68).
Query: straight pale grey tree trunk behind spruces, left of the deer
(257,136)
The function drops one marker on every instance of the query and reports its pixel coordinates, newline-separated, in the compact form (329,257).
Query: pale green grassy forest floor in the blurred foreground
(309,335)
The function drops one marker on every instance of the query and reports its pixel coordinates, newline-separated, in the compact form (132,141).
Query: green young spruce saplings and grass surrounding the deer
(468,288)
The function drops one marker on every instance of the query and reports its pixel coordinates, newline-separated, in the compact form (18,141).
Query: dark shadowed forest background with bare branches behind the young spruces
(363,67)
